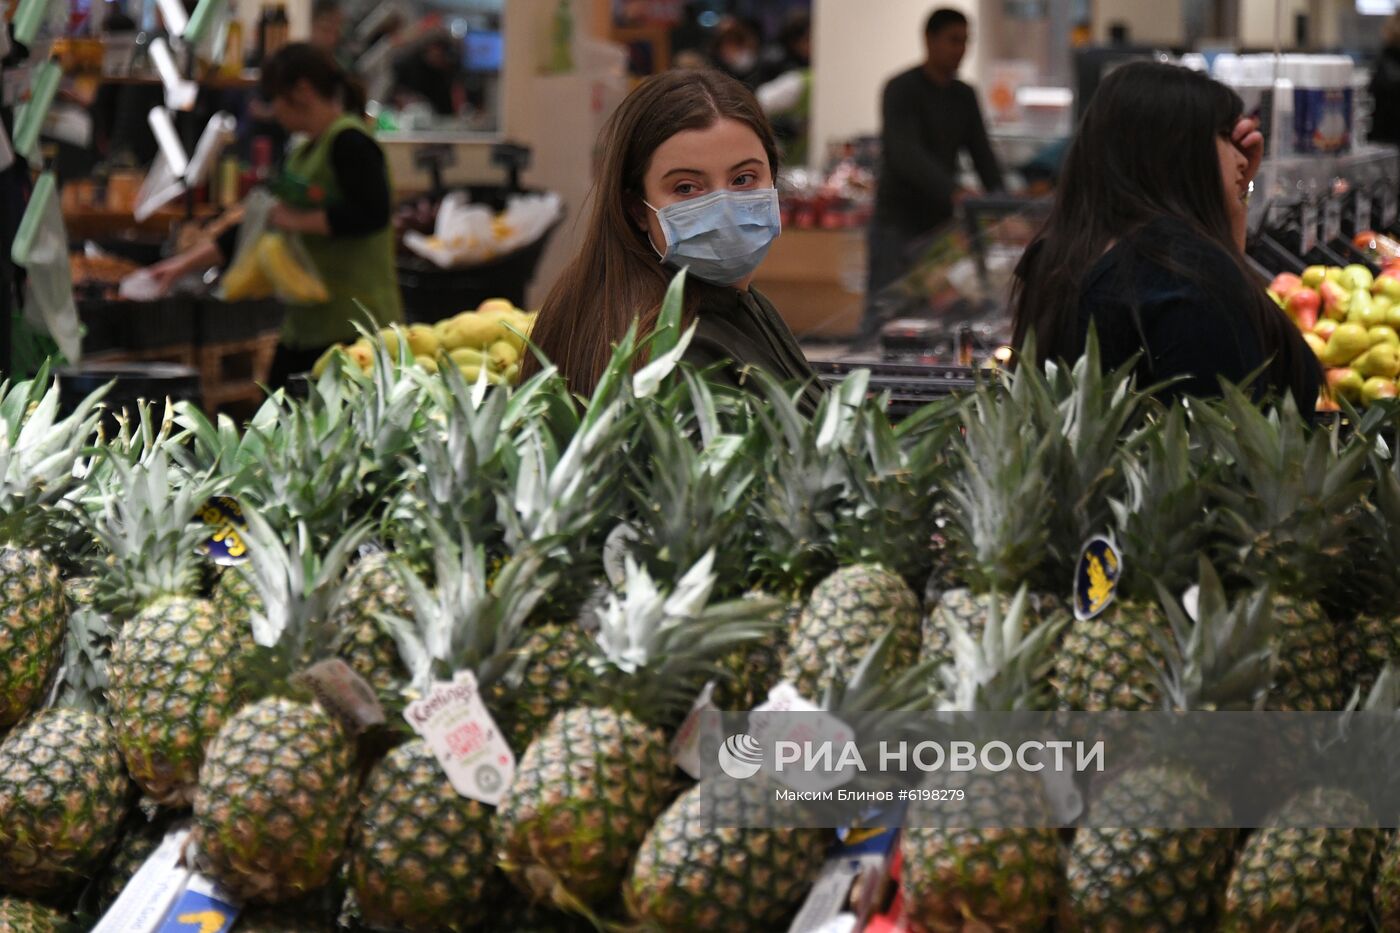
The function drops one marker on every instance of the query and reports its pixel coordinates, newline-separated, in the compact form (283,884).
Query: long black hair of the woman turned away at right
(1144,151)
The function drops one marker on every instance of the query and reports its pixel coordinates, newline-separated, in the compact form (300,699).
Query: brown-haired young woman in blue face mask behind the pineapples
(687,181)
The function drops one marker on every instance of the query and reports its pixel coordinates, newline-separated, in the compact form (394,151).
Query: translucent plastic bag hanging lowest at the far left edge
(43,249)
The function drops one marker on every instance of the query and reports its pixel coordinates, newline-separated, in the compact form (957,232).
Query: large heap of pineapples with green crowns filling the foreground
(596,564)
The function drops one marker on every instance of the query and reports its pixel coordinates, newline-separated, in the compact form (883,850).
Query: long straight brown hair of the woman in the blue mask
(617,277)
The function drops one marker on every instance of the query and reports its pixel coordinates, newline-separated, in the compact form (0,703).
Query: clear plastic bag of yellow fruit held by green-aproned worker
(269,263)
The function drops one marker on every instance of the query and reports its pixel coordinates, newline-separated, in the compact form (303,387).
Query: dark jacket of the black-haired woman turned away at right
(1193,324)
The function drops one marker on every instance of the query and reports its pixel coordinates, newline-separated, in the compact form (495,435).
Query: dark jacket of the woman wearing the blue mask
(744,330)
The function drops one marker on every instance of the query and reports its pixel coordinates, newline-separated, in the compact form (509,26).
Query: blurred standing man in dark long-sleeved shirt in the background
(929,118)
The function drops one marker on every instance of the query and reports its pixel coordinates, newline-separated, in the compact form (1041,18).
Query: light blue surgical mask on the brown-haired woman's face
(722,237)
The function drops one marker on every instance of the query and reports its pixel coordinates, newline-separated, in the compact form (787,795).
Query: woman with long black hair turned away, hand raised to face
(1147,242)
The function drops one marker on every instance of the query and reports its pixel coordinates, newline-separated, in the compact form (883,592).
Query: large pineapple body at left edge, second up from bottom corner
(64,792)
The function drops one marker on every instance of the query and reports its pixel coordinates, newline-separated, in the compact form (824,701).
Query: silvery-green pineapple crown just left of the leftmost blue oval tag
(146,518)
